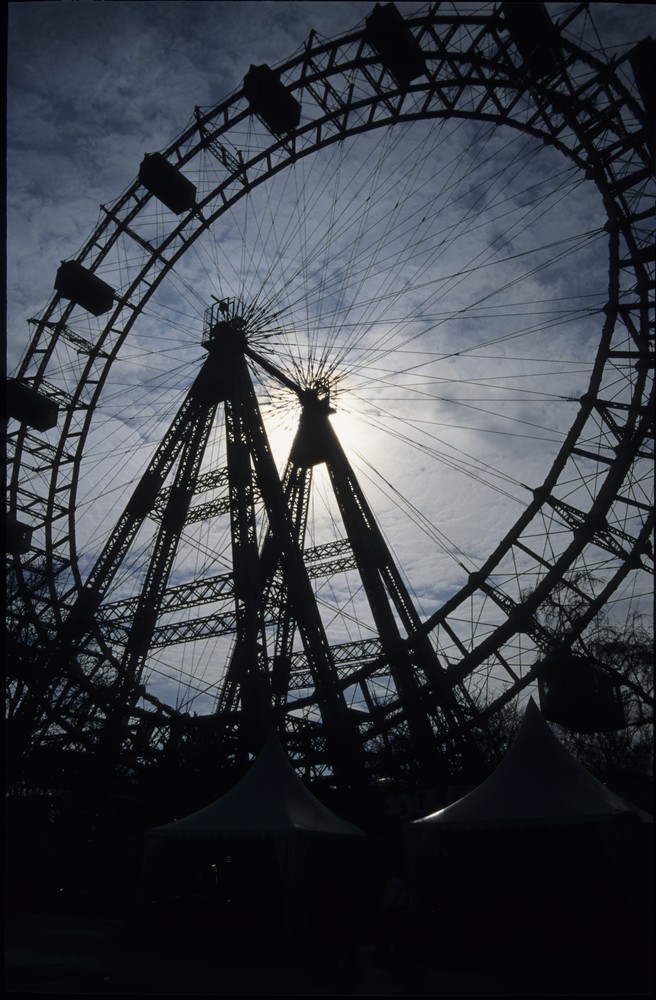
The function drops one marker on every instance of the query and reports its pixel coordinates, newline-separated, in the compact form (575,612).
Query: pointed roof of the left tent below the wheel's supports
(270,800)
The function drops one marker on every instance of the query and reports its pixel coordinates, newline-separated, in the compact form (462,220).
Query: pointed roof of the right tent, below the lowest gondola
(538,782)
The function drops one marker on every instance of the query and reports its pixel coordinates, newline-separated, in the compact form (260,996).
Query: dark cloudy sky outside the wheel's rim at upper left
(92,86)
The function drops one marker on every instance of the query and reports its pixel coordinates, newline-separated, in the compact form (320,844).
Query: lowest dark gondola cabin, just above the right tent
(576,693)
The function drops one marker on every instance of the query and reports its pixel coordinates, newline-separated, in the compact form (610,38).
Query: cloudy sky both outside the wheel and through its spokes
(447,446)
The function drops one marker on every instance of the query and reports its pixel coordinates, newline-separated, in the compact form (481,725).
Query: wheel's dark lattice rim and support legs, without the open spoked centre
(405,699)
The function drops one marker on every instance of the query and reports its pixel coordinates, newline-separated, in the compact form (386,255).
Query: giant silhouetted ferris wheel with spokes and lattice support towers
(389,300)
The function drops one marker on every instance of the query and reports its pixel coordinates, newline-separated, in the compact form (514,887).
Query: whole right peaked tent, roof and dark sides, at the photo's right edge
(541,847)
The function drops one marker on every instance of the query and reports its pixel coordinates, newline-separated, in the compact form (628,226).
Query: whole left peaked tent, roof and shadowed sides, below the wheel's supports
(267,850)
